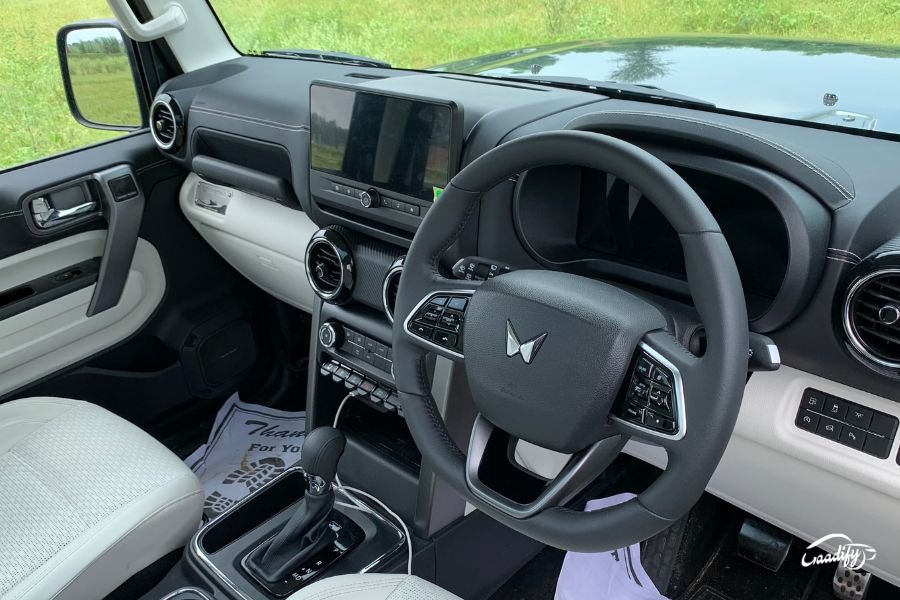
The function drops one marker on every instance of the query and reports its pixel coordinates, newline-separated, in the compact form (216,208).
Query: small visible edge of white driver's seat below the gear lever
(373,587)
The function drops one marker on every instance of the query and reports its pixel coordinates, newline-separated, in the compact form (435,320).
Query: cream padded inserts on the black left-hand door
(49,337)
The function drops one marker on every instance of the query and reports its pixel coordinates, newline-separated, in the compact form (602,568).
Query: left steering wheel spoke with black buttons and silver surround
(437,320)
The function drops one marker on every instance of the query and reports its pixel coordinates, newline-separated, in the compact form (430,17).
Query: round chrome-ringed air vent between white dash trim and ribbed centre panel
(329,266)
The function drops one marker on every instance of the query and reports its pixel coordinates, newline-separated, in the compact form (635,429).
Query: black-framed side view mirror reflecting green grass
(101,76)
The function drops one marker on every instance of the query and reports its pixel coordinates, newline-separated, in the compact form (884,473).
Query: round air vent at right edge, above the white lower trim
(872,316)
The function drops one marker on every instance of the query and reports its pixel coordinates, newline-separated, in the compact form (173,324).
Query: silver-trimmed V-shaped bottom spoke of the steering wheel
(490,462)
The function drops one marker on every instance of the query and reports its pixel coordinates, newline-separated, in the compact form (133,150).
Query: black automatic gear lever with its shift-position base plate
(316,535)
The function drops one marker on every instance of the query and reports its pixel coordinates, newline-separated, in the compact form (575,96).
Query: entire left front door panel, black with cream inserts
(146,355)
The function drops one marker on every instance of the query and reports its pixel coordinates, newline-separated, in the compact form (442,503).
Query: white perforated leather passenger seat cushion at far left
(86,500)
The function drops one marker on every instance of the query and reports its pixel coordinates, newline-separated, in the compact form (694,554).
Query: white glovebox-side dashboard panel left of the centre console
(265,241)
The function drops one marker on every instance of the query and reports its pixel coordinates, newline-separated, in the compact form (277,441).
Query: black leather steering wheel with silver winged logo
(568,363)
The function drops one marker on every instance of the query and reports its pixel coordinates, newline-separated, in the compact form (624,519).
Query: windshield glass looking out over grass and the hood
(833,63)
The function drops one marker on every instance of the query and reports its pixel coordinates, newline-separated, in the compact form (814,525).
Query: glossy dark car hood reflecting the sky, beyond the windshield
(850,85)
